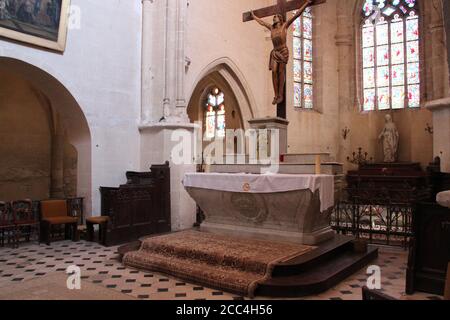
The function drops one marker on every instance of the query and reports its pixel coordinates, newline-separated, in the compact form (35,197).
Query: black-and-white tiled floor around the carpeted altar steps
(100,267)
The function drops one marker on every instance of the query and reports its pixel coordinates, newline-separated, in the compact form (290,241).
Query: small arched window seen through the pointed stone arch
(215,114)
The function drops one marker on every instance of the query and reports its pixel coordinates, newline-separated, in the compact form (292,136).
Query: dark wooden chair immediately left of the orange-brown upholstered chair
(25,222)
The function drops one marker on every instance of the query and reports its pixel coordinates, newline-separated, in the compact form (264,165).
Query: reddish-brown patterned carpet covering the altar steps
(217,261)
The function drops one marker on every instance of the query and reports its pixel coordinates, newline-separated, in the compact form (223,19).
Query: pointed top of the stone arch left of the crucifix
(223,71)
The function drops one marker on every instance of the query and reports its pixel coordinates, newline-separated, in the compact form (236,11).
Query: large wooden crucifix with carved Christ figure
(279,56)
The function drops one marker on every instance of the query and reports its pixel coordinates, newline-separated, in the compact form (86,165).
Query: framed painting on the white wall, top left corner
(38,22)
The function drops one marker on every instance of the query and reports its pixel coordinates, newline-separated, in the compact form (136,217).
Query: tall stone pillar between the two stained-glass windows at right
(344,42)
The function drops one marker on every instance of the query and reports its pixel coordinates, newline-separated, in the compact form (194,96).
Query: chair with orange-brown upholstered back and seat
(55,213)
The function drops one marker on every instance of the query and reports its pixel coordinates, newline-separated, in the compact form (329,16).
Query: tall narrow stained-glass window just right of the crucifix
(303,61)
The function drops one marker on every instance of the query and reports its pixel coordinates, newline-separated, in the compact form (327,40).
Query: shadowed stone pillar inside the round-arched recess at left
(57,164)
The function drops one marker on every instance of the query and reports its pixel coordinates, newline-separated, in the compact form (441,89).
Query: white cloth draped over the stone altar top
(265,183)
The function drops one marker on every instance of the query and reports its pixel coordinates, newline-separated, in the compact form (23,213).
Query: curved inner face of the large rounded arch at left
(68,114)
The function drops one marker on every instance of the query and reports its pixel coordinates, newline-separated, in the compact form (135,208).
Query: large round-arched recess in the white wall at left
(45,149)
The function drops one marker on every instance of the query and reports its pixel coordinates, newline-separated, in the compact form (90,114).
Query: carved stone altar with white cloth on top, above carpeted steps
(293,208)
